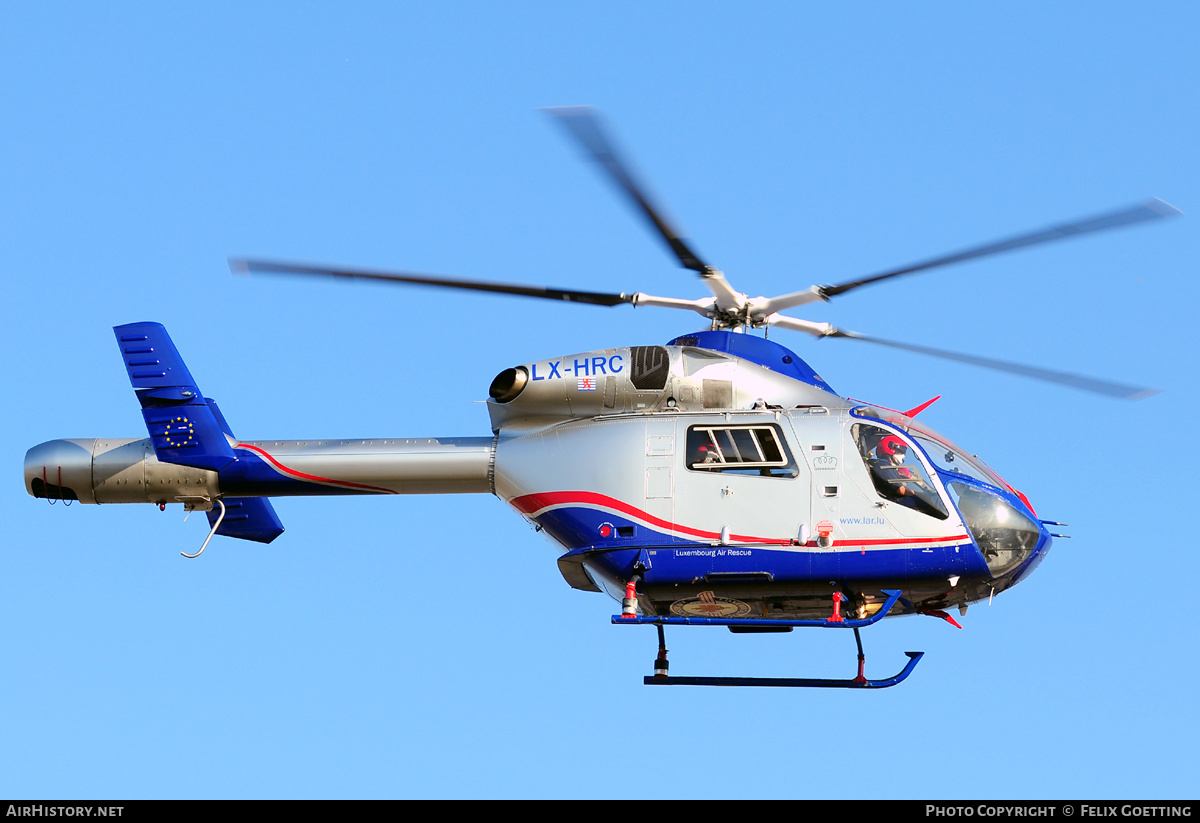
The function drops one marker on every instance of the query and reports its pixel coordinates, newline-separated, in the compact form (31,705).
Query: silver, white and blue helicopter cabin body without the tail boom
(742,485)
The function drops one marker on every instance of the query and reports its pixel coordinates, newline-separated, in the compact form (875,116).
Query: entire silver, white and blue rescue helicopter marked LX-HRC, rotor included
(740,491)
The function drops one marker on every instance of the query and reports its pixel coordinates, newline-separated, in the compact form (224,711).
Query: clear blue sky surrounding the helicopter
(428,647)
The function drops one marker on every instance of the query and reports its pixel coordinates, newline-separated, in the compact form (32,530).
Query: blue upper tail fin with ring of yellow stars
(184,430)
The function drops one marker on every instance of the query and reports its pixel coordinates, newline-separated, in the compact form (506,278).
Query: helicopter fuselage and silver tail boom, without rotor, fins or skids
(721,471)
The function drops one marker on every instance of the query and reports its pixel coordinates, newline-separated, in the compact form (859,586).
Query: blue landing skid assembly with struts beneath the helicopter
(662,666)
